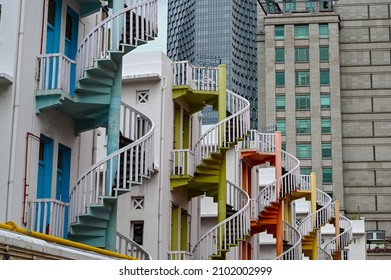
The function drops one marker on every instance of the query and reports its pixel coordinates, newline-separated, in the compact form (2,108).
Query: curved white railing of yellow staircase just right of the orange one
(320,217)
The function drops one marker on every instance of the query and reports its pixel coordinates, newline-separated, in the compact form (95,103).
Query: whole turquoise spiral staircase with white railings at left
(83,90)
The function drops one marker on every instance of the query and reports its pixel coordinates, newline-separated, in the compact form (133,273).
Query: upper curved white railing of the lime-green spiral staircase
(215,137)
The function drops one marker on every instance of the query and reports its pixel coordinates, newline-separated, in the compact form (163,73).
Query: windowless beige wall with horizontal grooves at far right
(365,51)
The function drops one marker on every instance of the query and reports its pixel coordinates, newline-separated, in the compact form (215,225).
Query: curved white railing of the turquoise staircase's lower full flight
(90,187)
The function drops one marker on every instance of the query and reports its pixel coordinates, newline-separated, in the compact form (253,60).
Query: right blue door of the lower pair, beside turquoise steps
(63,179)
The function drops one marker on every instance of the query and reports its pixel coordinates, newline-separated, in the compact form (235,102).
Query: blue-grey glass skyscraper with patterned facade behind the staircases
(209,33)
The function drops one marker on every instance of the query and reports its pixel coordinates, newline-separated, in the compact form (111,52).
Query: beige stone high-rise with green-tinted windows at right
(325,81)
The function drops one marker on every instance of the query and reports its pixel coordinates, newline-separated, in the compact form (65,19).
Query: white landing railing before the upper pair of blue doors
(54,72)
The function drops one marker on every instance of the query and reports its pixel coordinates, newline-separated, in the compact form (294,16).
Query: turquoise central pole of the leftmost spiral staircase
(113,128)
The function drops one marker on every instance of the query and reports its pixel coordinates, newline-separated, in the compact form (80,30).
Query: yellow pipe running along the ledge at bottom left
(11,226)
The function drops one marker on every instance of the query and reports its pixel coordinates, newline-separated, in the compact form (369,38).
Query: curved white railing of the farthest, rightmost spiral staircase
(342,240)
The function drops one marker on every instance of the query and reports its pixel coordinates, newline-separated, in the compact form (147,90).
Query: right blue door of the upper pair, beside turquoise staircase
(71,35)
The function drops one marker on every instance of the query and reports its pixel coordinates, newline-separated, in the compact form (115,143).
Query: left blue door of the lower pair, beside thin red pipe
(44,186)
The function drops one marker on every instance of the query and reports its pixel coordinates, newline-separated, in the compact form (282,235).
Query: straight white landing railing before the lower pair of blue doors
(47,215)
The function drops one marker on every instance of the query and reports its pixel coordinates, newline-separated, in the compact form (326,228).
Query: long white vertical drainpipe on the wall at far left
(15,112)
